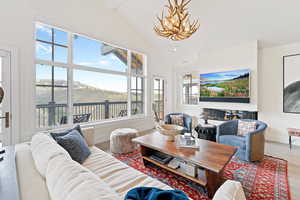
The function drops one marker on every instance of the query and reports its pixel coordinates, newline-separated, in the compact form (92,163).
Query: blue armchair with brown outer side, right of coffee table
(251,146)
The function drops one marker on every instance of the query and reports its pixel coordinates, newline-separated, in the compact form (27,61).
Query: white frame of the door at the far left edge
(14,93)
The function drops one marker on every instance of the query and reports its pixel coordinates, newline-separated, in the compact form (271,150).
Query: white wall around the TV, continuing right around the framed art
(266,84)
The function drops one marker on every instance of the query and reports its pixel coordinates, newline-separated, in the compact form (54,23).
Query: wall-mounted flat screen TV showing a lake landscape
(228,86)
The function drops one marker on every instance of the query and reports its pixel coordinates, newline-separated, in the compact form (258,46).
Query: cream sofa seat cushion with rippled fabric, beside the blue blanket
(118,175)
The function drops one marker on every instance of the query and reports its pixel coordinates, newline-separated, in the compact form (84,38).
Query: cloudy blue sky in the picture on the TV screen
(228,75)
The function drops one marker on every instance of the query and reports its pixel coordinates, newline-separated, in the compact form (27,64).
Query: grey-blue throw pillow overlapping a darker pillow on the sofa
(75,145)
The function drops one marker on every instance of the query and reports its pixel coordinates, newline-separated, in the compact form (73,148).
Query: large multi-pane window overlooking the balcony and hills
(80,80)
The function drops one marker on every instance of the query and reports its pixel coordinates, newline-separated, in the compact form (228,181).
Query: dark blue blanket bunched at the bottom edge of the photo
(151,193)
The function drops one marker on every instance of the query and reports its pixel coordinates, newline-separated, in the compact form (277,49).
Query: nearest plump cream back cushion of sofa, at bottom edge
(68,180)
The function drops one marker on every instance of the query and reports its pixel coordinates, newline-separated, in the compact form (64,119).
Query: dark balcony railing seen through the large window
(52,114)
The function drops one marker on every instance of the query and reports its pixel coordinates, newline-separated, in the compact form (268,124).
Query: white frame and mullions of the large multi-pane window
(71,67)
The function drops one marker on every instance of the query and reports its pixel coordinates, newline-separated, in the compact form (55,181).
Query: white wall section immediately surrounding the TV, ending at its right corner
(238,57)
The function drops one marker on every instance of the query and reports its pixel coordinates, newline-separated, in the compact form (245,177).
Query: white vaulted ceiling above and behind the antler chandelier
(224,23)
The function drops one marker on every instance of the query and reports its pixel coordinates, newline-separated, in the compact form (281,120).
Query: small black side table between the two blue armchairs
(206,131)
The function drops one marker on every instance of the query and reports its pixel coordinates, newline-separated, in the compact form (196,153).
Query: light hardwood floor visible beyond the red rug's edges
(277,150)
